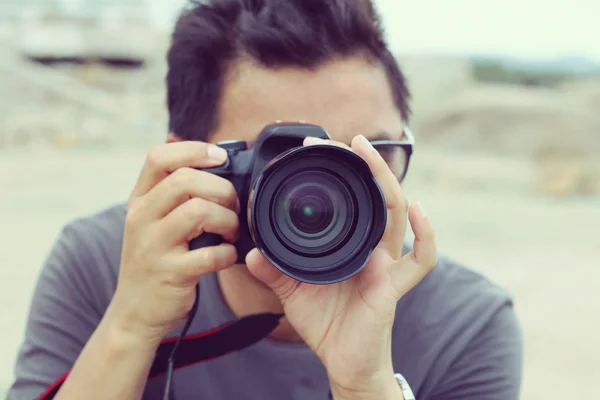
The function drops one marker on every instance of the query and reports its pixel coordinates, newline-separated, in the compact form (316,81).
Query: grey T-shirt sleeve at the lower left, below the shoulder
(62,317)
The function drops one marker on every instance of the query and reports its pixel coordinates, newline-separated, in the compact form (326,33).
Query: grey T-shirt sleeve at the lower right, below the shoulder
(490,368)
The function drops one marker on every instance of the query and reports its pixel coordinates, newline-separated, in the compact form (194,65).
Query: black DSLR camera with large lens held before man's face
(315,212)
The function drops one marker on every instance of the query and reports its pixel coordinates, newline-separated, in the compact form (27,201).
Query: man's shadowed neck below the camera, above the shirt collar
(245,295)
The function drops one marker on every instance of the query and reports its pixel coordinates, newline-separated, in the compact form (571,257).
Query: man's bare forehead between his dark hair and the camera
(345,97)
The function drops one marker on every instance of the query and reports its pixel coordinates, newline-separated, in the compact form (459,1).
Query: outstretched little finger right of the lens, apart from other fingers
(413,267)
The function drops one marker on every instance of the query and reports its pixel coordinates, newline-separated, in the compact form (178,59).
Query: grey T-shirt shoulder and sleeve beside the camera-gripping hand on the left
(75,286)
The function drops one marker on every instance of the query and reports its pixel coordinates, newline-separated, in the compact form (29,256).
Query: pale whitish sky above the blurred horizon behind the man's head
(528,28)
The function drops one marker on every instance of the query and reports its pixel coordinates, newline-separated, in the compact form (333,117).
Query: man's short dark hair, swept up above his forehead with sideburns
(211,34)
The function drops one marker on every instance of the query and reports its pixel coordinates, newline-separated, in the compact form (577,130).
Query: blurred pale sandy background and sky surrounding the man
(507,162)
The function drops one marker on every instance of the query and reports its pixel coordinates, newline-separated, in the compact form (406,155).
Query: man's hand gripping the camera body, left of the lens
(171,204)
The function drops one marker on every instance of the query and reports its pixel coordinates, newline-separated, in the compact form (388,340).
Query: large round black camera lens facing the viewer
(316,213)
